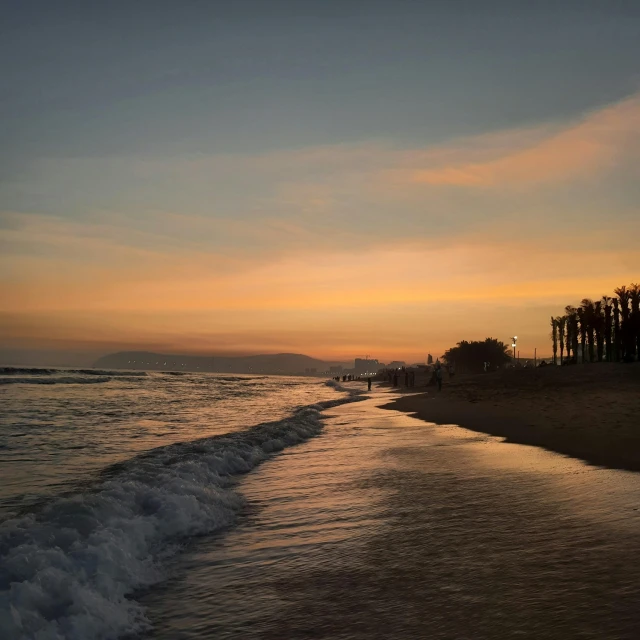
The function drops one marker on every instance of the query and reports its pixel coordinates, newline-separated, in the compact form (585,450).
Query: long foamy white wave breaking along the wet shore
(68,571)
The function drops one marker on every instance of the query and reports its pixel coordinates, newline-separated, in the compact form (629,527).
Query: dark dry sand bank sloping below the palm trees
(591,412)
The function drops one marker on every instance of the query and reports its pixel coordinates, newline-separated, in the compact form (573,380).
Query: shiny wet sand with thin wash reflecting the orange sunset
(387,527)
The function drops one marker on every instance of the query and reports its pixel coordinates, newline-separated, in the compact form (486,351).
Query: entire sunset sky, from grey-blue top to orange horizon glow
(336,178)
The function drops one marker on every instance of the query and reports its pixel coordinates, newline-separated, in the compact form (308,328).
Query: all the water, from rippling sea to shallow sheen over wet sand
(180,506)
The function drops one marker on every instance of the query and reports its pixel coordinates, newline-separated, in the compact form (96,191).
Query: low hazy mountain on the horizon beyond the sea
(279,363)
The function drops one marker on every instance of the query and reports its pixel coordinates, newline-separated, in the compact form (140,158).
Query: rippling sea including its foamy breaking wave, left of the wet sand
(105,474)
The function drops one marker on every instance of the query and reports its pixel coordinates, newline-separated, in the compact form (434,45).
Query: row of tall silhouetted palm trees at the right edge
(605,330)
